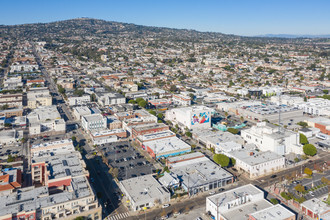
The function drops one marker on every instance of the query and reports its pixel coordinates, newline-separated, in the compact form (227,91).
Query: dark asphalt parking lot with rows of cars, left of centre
(126,159)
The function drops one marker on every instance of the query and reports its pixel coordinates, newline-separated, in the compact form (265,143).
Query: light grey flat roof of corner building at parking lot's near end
(143,188)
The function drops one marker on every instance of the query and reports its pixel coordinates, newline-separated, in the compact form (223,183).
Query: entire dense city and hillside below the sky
(110,120)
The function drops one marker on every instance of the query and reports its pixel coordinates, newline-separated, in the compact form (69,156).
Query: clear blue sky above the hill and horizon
(242,17)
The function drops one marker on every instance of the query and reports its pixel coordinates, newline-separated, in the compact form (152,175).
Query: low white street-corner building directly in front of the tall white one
(257,163)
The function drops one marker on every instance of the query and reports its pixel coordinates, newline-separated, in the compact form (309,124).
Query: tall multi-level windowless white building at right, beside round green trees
(268,138)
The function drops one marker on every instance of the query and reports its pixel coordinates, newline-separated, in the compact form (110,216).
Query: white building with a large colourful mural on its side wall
(195,117)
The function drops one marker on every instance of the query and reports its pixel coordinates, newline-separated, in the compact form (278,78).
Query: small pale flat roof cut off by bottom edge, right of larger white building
(276,212)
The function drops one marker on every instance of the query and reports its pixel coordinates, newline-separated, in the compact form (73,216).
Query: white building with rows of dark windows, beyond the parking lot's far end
(94,122)
